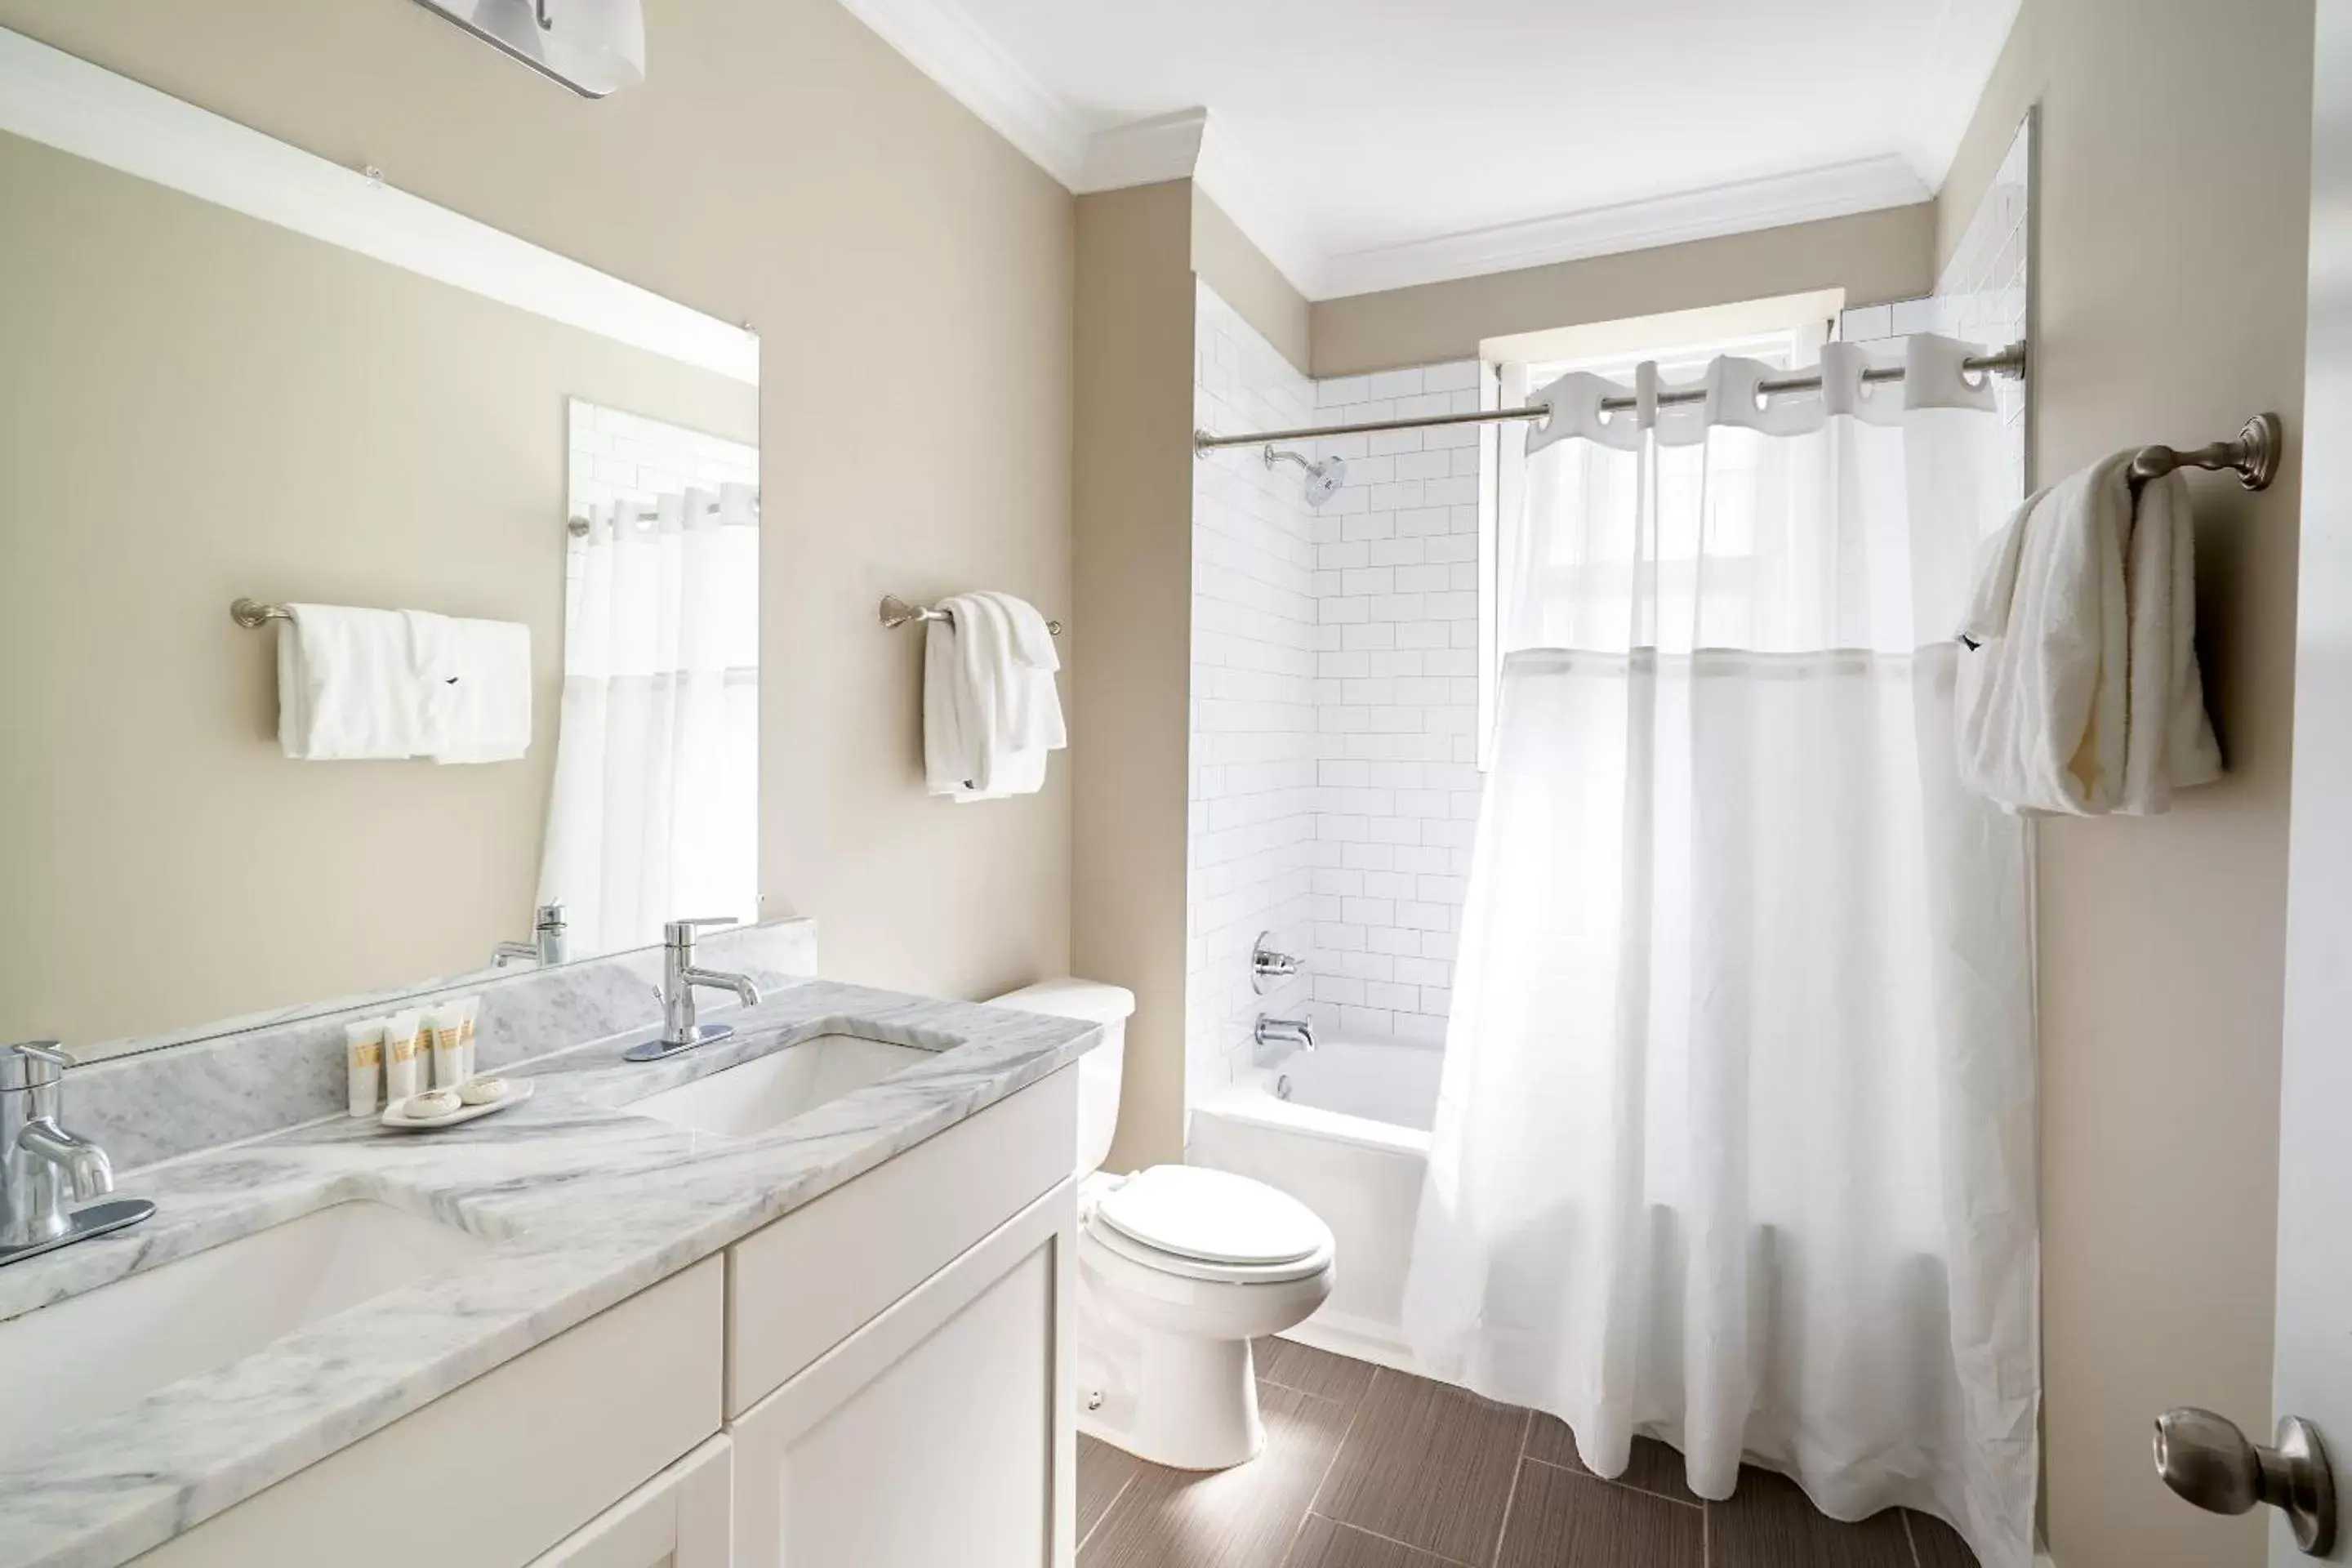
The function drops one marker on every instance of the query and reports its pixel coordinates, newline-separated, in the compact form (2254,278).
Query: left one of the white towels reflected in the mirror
(347,685)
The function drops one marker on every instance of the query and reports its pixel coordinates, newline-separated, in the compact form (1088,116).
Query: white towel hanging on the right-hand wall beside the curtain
(2078,676)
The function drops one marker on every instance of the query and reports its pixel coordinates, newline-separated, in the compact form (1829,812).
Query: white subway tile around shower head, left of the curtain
(1335,704)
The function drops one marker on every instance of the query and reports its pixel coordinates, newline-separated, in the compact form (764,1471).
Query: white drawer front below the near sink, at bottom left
(512,1463)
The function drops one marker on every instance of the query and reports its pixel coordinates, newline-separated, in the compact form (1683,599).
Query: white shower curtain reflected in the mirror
(657,779)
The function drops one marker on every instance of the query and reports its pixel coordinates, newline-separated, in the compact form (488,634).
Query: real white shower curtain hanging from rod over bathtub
(1737,1134)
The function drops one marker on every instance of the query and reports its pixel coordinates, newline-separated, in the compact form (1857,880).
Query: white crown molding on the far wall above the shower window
(1631,227)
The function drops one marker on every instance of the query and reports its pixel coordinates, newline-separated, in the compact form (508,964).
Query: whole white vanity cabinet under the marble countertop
(874,1381)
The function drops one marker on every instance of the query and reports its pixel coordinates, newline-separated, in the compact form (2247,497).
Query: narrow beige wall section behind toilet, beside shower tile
(1130,725)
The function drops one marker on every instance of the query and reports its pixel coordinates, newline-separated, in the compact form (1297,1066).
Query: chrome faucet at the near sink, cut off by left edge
(44,1162)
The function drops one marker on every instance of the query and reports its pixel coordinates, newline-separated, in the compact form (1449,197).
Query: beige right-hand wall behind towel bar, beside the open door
(2172,281)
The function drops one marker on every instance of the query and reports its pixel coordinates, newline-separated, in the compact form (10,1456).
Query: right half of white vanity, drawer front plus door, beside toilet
(900,1386)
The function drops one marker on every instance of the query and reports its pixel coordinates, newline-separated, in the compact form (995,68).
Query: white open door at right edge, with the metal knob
(2313,1372)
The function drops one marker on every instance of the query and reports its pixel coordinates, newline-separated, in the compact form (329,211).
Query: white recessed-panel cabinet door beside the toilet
(940,1435)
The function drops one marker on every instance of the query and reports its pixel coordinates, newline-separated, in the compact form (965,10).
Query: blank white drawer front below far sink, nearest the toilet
(817,1275)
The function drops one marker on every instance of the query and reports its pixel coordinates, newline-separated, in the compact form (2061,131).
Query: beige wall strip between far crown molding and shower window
(1873,255)
